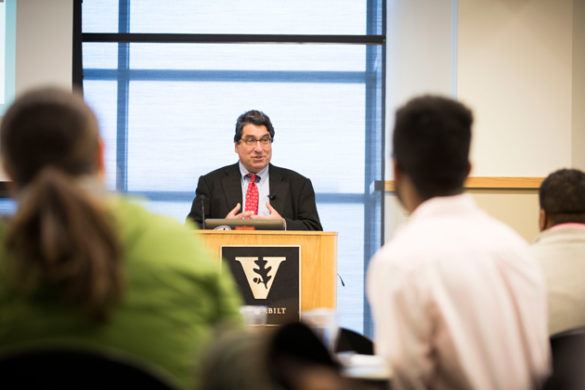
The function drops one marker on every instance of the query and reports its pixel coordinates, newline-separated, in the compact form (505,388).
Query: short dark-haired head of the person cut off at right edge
(562,196)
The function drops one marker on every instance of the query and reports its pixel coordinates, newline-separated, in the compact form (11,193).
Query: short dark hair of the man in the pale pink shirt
(431,140)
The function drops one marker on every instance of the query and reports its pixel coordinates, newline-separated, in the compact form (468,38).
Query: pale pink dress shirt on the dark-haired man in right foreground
(459,302)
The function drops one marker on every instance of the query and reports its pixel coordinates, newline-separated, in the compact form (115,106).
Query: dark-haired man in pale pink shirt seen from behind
(457,299)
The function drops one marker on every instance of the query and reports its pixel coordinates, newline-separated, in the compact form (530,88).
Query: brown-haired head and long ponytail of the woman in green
(61,236)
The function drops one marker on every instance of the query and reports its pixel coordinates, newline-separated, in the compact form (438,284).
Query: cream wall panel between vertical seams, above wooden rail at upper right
(515,71)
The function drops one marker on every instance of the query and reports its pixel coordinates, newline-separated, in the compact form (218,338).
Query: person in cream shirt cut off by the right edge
(560,247)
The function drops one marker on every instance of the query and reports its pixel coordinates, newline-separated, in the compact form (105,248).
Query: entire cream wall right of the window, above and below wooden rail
(518,66)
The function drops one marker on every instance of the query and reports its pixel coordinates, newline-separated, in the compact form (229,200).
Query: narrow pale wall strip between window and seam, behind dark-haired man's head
(420,54)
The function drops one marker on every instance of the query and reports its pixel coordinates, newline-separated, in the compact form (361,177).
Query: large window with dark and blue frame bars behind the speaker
(169,79)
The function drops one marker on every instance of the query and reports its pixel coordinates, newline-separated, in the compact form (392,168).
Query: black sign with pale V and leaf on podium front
(267,276)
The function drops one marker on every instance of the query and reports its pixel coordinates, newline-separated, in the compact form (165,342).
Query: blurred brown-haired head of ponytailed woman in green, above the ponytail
(49,128)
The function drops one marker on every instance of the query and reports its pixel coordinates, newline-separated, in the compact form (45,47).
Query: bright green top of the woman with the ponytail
(174,297)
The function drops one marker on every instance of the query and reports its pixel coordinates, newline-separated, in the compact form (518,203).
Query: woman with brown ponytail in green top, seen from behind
(84,268)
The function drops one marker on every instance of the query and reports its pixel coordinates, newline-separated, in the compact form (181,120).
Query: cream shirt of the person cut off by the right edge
(561,253)
